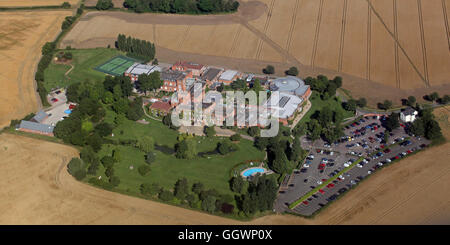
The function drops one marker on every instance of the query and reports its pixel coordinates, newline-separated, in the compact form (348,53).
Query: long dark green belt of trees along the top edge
(182,6)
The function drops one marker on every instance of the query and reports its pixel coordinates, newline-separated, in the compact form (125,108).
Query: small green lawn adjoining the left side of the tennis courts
(84,62)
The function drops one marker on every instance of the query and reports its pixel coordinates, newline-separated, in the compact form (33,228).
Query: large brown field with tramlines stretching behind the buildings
(385,49)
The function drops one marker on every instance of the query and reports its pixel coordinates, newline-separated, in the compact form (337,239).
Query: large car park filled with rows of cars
(364,140)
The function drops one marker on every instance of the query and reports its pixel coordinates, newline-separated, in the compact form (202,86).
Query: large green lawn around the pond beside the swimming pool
(213,171)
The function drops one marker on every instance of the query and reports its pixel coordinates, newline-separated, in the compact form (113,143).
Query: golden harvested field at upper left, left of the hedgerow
(22,34)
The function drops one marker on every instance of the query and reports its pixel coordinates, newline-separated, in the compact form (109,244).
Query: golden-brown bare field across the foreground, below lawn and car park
(40,191)
